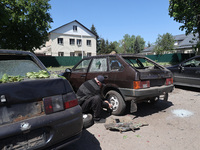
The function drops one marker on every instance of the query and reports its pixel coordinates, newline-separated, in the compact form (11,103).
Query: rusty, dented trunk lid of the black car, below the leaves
(23,100)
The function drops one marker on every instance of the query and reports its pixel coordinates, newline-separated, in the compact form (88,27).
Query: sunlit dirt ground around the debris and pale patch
(172,125)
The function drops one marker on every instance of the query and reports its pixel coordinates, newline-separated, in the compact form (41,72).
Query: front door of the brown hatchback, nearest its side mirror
(79,73)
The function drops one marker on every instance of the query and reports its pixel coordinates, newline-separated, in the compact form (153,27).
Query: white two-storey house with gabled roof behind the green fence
(71,39)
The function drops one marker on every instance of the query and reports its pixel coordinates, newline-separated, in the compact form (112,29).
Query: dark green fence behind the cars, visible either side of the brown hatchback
(56,61)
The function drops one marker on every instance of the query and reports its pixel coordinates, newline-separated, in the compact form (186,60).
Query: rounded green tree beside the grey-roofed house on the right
(164,43)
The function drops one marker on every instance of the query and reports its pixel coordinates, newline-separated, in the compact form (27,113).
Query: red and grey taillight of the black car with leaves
(59,102)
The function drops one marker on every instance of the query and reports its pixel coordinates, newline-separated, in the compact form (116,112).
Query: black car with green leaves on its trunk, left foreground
(35,112)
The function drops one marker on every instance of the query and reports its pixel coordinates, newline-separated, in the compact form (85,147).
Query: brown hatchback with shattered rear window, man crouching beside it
(128,78)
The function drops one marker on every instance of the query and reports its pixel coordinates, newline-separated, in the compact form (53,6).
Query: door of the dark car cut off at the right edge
(189,72)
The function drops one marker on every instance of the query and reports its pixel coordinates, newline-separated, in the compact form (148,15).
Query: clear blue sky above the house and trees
(115,18)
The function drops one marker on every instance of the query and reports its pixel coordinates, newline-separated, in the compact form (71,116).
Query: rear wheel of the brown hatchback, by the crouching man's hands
(117,102)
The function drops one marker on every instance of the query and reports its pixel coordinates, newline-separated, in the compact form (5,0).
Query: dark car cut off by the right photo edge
(187,73)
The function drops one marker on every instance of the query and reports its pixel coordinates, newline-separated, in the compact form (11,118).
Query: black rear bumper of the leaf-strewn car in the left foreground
(61,126)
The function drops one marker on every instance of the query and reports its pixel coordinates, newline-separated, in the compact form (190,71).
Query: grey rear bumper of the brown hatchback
(140,94)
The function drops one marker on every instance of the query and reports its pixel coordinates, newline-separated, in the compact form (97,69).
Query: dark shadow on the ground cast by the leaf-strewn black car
(86,142)
